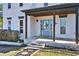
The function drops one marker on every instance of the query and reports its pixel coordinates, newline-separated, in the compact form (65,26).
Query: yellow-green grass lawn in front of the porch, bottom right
(55,52)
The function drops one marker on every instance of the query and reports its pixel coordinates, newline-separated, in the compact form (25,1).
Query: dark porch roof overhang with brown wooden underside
(53,10)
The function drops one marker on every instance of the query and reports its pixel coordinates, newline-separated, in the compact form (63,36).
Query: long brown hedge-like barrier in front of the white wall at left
(9,35)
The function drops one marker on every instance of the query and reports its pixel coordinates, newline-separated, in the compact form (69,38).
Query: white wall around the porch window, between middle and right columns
(70,27)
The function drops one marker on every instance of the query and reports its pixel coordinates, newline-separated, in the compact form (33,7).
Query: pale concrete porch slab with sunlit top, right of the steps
(59,43)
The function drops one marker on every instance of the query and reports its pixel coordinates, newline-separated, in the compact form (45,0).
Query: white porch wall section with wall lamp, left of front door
(33,28)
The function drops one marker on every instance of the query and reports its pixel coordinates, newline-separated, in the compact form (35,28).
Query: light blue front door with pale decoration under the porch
(46,28)
